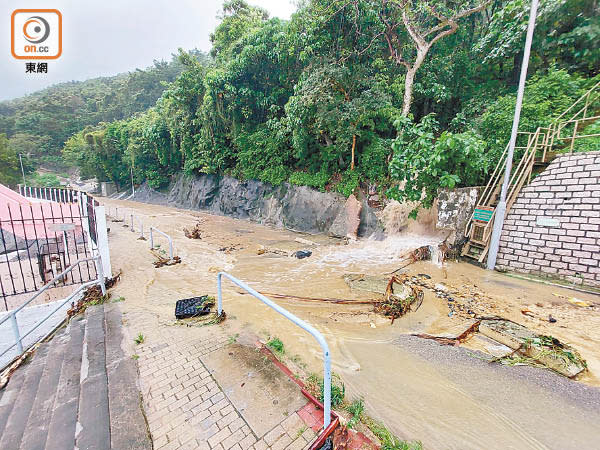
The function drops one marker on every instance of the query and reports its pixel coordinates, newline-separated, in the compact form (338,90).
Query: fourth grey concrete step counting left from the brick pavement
(36,430)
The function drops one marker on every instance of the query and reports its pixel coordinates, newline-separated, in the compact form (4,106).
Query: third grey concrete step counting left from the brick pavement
(61,430)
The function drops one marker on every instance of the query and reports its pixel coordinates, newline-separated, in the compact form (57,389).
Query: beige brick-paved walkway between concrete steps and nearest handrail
(187,408)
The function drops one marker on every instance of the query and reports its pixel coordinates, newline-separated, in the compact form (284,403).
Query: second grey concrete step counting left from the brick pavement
(94,420)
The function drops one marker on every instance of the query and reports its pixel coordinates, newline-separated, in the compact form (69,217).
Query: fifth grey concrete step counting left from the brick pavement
(17,420)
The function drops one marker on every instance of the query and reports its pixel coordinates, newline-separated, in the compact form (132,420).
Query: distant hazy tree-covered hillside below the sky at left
(39,124)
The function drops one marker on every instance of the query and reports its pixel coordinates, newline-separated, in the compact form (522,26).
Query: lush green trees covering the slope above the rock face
(411,95)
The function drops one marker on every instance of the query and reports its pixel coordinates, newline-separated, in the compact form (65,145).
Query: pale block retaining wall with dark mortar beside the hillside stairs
(553,227)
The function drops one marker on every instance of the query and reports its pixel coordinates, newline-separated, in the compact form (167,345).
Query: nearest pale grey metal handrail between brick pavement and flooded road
(302,324)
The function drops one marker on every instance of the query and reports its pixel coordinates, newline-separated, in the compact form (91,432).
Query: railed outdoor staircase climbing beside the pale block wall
(538,149)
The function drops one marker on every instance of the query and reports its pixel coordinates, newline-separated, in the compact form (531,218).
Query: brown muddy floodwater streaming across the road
(439,395)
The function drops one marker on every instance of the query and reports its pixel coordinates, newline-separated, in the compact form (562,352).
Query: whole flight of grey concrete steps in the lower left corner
(78,390)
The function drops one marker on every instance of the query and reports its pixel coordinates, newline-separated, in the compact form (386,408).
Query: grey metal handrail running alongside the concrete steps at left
(12,315)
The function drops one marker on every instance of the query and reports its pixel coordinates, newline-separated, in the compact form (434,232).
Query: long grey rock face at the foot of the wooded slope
(298,208)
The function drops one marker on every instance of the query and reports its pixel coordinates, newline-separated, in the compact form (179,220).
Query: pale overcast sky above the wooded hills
(106,37)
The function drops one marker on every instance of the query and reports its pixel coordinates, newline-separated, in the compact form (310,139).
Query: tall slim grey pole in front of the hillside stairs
(501,208)
